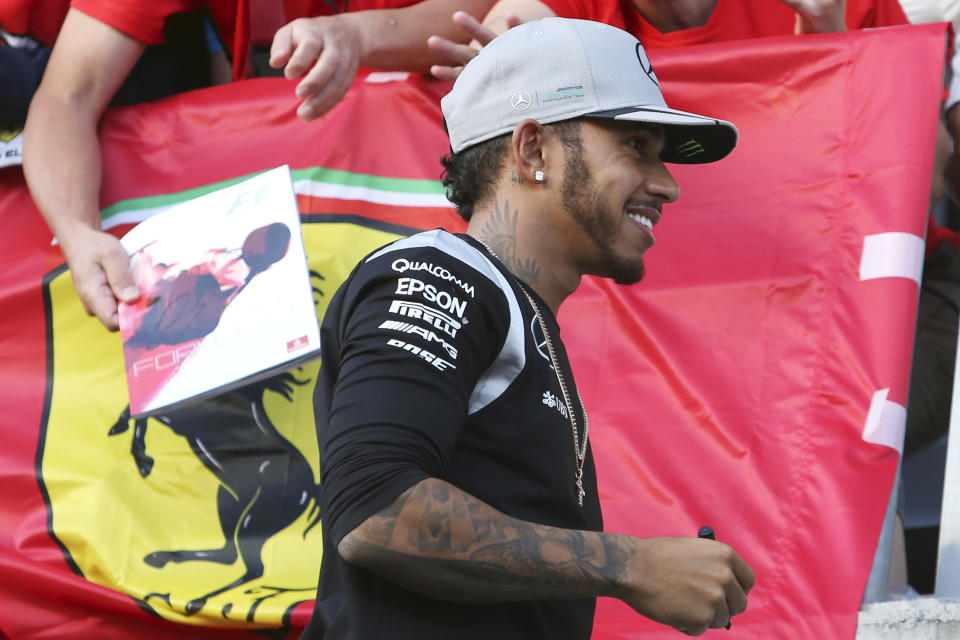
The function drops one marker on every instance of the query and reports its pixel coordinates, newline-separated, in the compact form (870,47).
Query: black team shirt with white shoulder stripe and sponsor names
(434,365)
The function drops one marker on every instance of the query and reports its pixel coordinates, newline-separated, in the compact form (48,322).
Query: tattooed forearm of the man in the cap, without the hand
(447,544)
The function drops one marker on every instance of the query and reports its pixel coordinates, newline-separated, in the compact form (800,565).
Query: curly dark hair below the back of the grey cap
(470,175)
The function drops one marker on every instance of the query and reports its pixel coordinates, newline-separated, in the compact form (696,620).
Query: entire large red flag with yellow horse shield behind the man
(755,381)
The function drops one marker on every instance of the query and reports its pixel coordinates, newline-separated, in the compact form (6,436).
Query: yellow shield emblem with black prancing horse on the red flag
(214,520)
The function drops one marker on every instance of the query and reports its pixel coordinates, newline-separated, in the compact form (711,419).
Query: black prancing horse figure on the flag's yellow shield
(266,483)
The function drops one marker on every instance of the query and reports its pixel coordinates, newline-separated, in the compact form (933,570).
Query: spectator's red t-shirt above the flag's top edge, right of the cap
(730,20)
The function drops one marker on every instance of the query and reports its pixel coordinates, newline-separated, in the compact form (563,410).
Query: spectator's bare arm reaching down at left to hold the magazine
(61,157)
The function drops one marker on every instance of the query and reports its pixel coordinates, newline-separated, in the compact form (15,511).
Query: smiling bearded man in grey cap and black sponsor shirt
(459,493)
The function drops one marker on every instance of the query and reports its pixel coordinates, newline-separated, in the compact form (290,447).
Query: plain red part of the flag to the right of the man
(763,363)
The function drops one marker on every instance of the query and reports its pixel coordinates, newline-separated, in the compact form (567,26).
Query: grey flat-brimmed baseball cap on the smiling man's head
(558,68)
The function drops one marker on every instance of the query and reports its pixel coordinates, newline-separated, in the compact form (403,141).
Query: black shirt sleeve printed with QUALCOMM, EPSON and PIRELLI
(414,331)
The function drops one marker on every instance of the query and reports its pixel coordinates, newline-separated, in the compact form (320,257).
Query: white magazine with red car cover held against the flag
(225,295)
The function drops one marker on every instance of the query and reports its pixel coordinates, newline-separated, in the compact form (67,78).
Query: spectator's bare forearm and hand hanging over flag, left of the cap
(329,49)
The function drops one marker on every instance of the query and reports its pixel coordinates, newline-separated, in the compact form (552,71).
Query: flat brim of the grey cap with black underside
(691,138)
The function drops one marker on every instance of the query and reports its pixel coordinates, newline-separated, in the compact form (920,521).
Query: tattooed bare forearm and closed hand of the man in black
(444,543)
